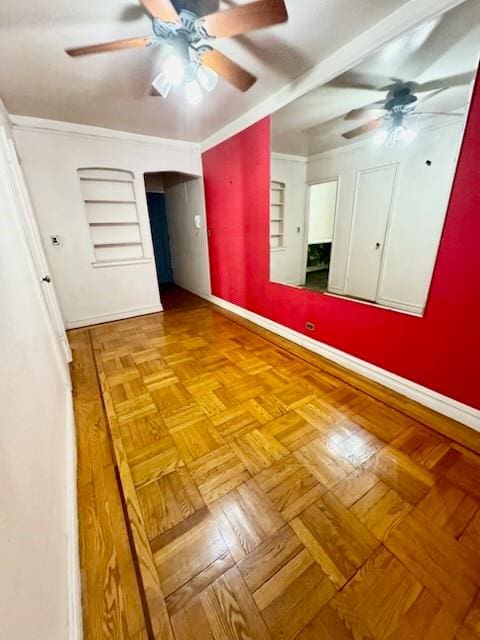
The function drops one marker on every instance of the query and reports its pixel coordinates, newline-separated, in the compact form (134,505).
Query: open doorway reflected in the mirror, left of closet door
(321,207)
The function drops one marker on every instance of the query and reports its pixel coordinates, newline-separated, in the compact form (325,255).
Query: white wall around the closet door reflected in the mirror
(418,211)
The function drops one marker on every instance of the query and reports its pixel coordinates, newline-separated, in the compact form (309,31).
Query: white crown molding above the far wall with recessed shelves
(58,127)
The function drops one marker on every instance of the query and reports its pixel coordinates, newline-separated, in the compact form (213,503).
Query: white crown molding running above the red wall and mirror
(407,17)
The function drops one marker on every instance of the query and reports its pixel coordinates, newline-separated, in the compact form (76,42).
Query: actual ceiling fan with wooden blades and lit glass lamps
(191,59)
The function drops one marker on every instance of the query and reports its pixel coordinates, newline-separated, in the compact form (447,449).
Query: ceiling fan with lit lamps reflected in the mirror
(399,109)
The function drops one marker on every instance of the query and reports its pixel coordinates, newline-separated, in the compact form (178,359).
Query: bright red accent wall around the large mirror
(440,351)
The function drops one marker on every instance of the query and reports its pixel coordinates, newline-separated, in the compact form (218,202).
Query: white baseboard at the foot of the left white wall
(74,580)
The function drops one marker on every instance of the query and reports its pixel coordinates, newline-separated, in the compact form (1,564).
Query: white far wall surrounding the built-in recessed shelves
(50,158)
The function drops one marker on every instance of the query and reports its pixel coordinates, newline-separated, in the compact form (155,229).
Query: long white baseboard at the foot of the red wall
(442,404)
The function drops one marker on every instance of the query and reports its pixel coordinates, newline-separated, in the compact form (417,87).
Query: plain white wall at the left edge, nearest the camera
(36,465)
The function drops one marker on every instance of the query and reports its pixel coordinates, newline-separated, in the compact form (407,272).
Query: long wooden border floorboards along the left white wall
(112,606)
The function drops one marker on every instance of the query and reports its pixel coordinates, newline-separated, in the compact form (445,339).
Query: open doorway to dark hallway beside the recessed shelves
(176,210)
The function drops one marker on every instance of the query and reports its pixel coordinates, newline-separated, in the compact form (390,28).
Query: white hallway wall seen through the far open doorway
(185,199)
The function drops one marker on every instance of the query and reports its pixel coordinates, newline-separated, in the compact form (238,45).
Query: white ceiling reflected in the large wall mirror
(441,48)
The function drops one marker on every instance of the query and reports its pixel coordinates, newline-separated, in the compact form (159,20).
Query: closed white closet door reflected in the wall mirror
(372,205)
